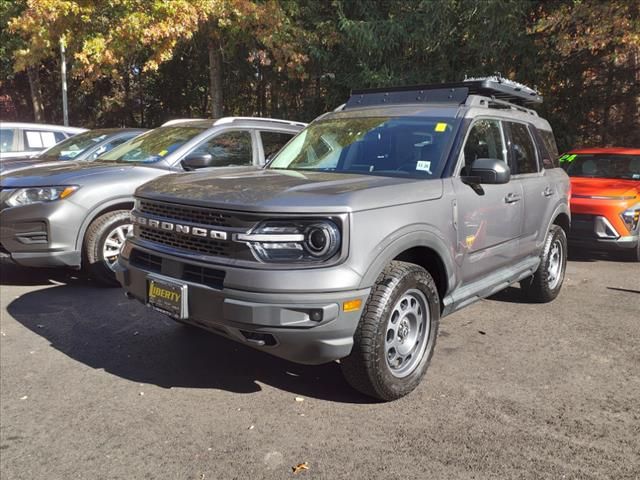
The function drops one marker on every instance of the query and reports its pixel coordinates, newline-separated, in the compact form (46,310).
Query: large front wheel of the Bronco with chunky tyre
(396,336)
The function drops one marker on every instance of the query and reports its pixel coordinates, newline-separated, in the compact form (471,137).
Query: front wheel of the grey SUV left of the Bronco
(102,243)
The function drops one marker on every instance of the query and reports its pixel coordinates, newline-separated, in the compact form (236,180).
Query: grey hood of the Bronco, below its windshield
(289,191)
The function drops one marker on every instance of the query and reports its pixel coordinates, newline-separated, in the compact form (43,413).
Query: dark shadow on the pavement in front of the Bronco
(102,329)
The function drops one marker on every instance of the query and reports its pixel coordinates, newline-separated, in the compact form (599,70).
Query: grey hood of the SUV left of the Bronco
(73,173)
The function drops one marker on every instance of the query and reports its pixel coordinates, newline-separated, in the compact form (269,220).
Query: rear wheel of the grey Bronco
(546,283)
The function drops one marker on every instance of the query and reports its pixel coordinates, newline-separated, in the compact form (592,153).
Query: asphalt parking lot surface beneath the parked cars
(96,386)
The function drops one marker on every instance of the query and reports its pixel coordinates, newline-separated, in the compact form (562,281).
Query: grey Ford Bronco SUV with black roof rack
(398,208)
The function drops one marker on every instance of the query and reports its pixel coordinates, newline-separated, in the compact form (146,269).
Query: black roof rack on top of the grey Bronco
(446,93)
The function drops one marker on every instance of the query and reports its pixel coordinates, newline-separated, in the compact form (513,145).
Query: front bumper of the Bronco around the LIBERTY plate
(277,322)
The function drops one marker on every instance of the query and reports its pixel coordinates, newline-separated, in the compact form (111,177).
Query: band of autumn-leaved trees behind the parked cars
(140,62)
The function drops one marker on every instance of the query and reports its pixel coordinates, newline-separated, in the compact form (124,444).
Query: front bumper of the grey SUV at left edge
(41,234)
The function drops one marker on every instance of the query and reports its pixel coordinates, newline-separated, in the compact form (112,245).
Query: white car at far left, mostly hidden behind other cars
(26,139)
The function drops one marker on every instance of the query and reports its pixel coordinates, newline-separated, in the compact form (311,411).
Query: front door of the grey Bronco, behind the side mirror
(489,216)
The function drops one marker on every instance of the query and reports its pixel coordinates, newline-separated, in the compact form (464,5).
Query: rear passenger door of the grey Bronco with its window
(538,192)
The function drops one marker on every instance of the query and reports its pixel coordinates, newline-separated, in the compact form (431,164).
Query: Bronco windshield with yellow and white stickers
(389,146)
